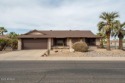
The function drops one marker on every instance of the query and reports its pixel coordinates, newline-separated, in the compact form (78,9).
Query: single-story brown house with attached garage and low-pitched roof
(55,39)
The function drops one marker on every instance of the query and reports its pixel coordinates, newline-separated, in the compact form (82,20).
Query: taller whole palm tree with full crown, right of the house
(107,25)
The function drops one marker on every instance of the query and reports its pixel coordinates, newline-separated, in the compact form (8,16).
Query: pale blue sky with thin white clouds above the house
(24,15)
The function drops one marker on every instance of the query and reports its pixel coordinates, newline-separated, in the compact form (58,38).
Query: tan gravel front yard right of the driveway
(91,53)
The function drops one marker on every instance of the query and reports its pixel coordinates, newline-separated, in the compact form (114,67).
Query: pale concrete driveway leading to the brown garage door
(22,55)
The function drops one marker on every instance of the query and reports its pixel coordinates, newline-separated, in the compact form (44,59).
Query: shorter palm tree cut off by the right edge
(120,32)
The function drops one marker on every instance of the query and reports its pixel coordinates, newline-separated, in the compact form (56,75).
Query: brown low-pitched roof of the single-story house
(59,34)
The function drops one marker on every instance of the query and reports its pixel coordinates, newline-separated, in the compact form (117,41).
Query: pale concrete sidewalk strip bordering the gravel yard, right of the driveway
(83,58)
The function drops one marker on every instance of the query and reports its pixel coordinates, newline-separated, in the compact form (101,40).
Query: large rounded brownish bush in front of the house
(80,47)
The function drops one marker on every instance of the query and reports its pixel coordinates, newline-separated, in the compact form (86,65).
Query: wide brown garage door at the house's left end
(34,43)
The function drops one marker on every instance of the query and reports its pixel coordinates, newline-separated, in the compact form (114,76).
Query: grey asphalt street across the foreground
(62,72)
